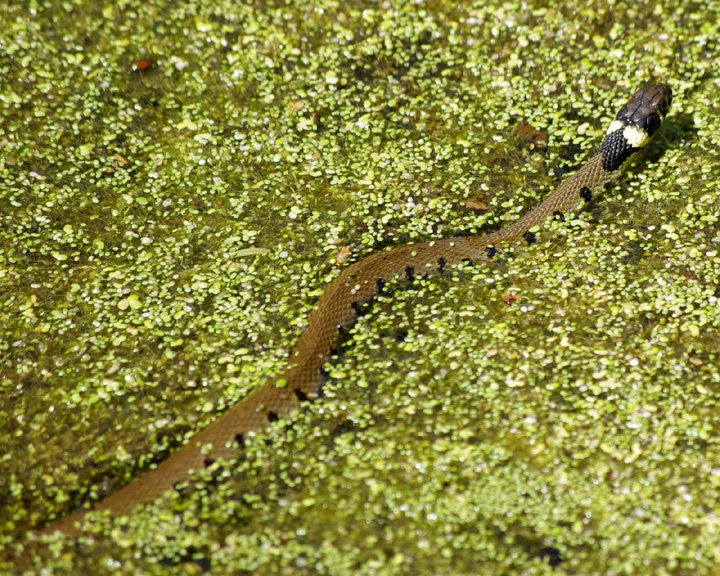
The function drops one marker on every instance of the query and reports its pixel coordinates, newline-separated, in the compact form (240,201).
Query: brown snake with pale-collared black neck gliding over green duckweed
(339,306)
